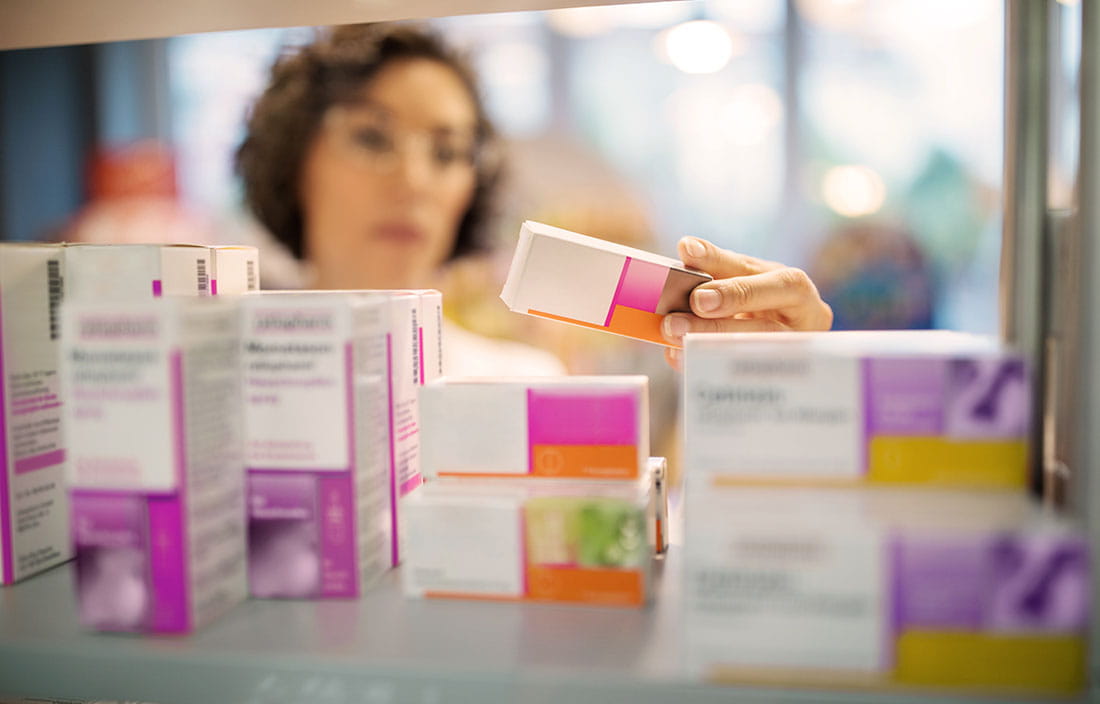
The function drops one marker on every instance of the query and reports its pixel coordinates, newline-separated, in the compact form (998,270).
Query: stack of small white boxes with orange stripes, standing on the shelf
(551,486)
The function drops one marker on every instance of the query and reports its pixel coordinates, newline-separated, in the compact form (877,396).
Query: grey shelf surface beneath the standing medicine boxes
(382,650)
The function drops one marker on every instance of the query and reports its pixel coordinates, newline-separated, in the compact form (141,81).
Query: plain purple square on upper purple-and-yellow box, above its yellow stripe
(905,397)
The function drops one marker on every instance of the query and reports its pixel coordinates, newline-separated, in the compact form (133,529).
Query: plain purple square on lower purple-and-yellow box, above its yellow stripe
(940,582)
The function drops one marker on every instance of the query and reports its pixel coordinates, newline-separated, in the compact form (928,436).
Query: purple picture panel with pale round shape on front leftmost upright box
(113,578)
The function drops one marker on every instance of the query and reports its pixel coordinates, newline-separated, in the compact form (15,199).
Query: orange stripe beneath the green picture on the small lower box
(586,586)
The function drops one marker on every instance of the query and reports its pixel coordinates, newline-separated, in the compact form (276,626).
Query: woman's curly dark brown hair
(332,71)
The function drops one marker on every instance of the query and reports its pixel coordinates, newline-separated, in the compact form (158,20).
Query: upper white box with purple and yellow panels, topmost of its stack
(908,408)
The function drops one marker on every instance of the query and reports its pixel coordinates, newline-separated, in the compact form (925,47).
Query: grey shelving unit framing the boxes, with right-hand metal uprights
(386,650)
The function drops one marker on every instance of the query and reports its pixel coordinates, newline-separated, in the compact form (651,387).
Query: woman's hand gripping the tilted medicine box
(747,295)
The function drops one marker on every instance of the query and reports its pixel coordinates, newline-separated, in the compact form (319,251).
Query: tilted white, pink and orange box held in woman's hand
(588,282)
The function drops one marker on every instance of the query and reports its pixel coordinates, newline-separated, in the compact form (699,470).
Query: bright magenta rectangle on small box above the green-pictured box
(596,416)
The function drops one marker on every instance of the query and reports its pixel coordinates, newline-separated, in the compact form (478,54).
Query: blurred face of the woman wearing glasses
(389,179)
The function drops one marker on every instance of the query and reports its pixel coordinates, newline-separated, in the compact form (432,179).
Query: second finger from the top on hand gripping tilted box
(785,290)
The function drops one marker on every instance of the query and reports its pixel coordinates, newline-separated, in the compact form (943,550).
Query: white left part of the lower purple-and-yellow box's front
(788,599)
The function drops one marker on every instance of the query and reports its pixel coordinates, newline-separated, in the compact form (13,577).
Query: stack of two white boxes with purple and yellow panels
(856,512)
